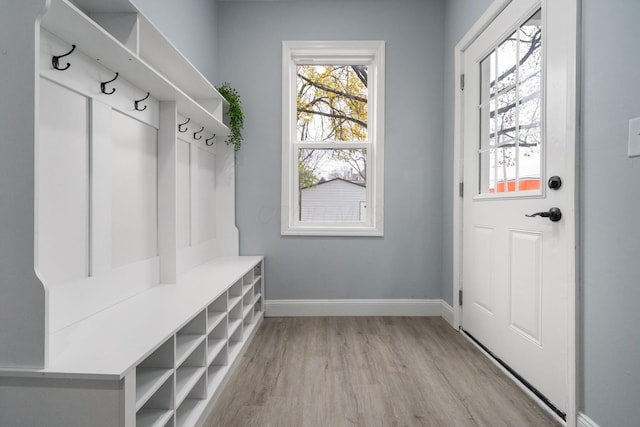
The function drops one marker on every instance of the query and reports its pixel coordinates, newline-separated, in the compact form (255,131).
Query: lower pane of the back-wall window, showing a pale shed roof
(332,185)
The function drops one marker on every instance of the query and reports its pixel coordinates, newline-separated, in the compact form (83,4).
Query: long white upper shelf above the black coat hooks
(157,66)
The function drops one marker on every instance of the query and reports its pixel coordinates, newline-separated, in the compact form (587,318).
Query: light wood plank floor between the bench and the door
(369,371)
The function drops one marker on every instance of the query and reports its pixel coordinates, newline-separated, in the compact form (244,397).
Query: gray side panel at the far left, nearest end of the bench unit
(23,299)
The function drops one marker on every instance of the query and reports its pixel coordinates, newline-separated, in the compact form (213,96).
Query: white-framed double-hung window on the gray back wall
(332,138)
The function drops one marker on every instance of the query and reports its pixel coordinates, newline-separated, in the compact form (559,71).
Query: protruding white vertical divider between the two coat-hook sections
(167,191)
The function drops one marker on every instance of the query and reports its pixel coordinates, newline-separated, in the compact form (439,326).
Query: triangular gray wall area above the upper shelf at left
(191,27)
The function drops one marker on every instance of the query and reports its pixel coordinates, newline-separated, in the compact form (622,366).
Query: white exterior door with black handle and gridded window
(517,270)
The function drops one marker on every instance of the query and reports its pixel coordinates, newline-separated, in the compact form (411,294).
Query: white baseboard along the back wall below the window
(355,307)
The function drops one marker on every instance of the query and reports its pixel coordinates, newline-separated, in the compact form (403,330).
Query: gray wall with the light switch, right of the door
(610,201)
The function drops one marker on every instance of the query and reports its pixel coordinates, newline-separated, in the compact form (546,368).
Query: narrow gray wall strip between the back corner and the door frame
(460,15)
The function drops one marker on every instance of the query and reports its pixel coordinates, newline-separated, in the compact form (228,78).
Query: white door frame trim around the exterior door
(571,15)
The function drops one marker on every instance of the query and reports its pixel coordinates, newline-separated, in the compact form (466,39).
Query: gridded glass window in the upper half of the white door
(509,151)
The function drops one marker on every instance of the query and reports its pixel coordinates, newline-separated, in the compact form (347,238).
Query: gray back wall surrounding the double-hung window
(406,263)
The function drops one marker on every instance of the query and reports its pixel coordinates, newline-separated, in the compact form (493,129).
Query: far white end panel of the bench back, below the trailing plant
(226,230)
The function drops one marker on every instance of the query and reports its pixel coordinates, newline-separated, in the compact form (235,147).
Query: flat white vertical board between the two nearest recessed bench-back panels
(101,161)
